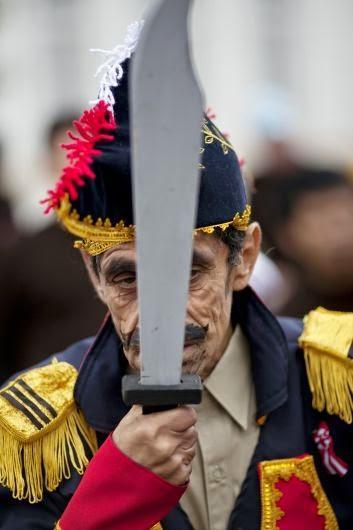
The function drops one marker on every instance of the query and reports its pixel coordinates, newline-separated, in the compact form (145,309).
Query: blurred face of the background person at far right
(318,237)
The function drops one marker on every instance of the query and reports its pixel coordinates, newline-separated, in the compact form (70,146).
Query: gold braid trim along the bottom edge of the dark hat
(101,235)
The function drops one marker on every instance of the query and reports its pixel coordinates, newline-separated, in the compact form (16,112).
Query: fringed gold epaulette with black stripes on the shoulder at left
(43,434)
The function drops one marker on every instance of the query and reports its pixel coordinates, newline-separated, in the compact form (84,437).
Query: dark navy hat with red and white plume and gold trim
(93,198)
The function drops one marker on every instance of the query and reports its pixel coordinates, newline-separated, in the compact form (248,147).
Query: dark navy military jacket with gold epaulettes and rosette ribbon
(301,472)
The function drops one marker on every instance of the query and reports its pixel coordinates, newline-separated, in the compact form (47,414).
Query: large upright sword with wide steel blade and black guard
(166,113)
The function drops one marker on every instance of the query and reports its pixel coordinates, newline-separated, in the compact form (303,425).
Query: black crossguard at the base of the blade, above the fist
(187,392)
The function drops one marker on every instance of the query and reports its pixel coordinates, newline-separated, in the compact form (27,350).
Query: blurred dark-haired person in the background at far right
(306,214)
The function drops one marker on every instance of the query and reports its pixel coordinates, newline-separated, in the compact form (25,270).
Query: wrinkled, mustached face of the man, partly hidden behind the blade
(207,329)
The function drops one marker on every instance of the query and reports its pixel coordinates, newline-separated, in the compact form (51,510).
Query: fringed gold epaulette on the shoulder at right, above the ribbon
(326,341)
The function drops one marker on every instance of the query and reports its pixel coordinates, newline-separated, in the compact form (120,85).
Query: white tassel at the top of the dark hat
(111,70)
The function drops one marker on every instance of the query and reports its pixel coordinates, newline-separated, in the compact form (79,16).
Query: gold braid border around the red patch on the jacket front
(304,469)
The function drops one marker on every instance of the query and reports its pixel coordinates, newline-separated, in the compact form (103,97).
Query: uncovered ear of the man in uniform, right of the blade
(248,257)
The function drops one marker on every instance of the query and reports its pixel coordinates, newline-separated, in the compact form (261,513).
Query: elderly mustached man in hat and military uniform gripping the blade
(273,448)
